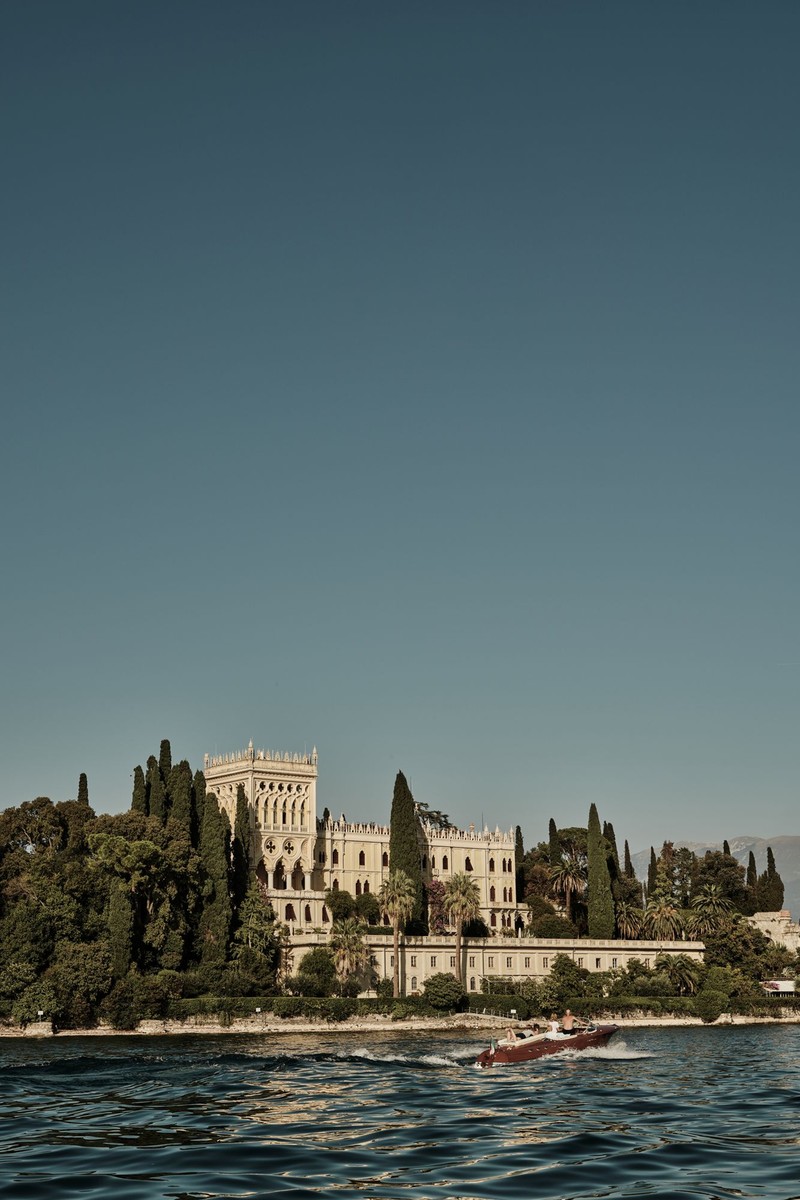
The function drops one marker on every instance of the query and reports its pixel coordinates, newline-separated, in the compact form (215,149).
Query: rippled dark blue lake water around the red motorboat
(660,1113)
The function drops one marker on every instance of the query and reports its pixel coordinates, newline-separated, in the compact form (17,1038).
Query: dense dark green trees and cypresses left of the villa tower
(101,914)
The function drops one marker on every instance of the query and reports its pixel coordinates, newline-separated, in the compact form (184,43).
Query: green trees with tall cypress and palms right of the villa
(578,885)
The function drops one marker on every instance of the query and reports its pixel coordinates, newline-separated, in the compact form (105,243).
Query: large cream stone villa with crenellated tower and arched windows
(299,856)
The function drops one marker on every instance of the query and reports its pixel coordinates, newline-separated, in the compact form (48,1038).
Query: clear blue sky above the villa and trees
(417,382)
